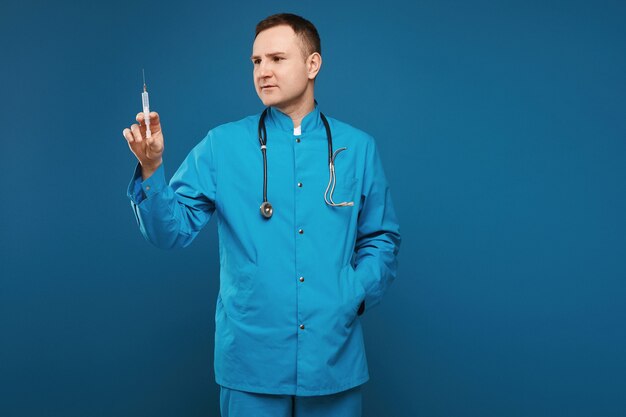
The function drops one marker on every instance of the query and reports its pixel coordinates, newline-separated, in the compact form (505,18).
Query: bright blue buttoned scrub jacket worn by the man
(292,288)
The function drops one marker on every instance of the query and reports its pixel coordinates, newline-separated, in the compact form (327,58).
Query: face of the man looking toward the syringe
(282,76)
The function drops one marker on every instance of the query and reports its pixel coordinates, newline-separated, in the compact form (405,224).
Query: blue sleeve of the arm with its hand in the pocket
(378,233)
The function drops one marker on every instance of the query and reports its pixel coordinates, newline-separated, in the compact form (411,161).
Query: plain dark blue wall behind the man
(502,130)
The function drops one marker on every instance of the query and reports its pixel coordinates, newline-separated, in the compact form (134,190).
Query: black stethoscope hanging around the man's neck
(266,208)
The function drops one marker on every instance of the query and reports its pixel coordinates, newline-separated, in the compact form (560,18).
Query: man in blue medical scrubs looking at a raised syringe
(307,238)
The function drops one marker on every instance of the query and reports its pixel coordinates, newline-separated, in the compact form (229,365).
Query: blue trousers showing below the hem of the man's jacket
(234,403)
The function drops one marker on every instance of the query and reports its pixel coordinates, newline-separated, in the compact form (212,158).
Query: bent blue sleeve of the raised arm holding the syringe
(170,216)
